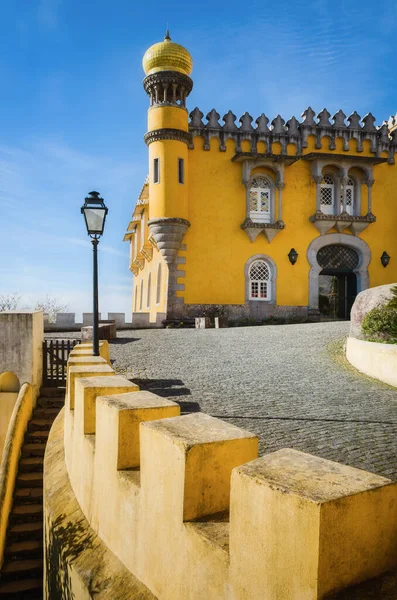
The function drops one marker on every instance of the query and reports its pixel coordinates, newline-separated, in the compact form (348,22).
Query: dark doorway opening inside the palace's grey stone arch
(337,281)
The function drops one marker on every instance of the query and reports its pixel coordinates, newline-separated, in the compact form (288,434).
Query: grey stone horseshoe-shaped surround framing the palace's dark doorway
(361,270)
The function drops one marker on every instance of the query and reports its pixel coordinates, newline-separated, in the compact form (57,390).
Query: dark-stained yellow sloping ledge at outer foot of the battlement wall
(77,563)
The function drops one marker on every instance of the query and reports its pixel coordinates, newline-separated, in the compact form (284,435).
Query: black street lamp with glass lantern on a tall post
(95,211)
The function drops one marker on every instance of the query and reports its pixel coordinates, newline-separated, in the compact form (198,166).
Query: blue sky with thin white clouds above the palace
(73,110)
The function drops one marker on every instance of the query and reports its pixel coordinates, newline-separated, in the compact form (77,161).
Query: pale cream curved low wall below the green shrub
(376,360)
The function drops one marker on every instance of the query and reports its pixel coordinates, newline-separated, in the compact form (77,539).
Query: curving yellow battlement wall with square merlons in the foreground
(185,504)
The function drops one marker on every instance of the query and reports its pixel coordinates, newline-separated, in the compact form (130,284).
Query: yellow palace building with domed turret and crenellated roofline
(257,219)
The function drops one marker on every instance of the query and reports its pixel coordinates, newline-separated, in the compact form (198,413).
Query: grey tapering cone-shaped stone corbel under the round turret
(168,234)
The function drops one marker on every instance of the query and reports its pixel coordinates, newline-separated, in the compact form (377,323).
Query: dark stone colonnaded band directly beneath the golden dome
(168,88)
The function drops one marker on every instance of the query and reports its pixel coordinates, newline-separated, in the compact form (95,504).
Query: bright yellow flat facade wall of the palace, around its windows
(217,248)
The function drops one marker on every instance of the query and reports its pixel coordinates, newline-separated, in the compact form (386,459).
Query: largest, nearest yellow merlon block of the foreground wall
(303,527)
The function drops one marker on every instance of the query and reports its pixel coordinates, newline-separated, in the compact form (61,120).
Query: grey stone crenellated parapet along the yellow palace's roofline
(382,139)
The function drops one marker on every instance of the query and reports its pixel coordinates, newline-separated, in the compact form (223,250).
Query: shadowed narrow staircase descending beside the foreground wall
(22,572)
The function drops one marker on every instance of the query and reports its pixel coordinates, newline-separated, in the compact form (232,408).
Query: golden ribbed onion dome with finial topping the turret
(167,56)
